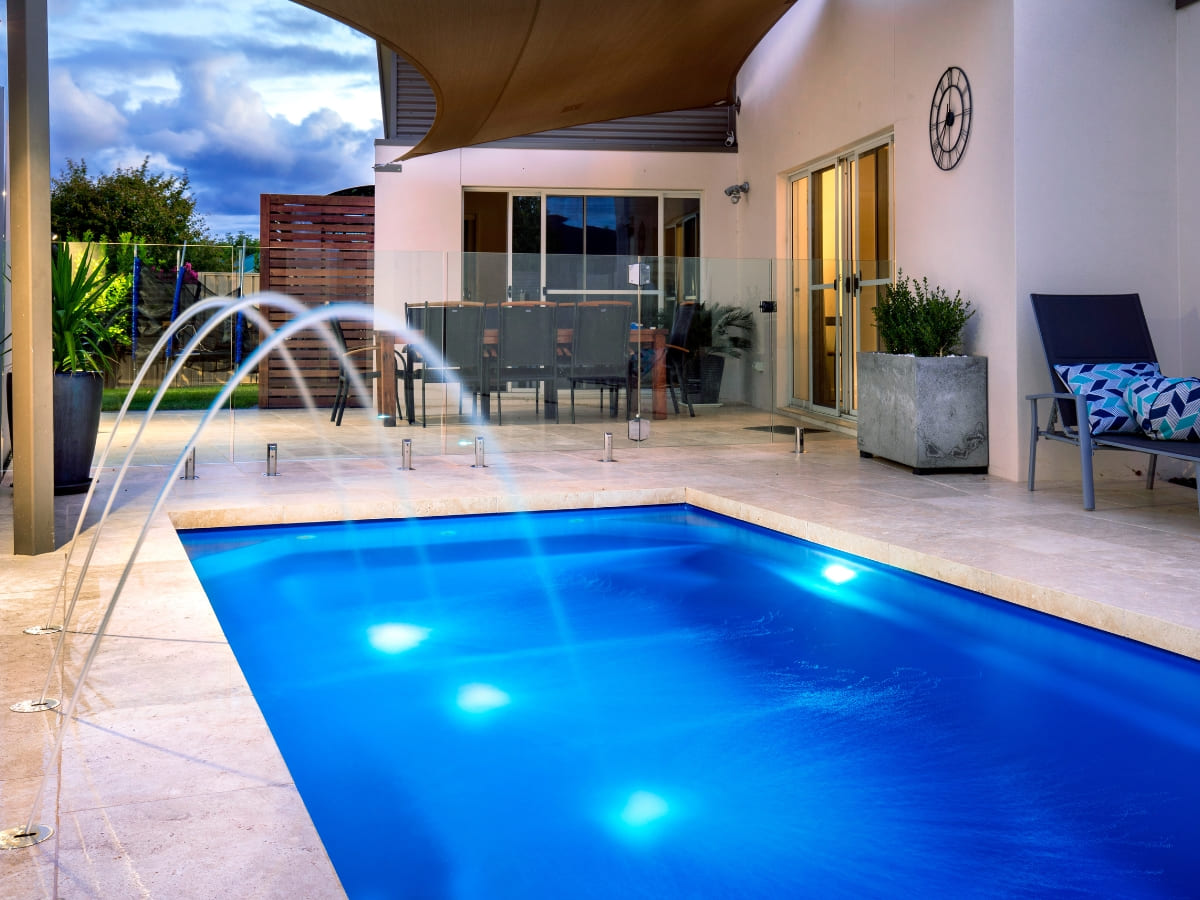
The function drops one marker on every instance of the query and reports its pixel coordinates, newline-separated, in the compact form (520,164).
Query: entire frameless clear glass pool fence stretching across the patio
(461,346)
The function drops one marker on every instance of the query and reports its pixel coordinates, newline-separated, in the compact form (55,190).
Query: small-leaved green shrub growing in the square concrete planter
(914,317)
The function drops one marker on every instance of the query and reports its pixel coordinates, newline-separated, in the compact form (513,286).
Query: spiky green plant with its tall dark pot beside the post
(88,341)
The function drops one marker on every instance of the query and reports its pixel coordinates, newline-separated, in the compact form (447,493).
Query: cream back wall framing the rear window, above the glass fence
(419,213)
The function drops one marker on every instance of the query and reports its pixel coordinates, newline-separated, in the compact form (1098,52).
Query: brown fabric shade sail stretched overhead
(501,69)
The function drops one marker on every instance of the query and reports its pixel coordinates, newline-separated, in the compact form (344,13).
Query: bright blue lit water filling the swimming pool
(668,704)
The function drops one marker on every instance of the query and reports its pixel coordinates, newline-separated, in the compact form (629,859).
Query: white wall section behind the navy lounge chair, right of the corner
(1097,178)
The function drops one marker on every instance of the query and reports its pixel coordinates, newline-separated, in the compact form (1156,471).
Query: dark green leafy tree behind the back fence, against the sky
(154,207)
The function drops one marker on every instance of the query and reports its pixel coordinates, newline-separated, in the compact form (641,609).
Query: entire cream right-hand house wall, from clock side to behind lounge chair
(1076,177)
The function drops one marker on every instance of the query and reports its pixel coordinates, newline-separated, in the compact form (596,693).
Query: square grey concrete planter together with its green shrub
(920,403)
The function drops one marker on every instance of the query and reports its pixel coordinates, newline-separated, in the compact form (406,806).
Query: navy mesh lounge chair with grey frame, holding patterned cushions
(1081,329)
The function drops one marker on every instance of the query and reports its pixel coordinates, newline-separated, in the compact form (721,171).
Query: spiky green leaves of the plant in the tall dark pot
(86,317)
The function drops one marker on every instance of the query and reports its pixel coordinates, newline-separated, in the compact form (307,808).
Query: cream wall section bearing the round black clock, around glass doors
(837,73)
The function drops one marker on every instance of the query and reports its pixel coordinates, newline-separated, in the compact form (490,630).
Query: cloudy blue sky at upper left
(248,97)
